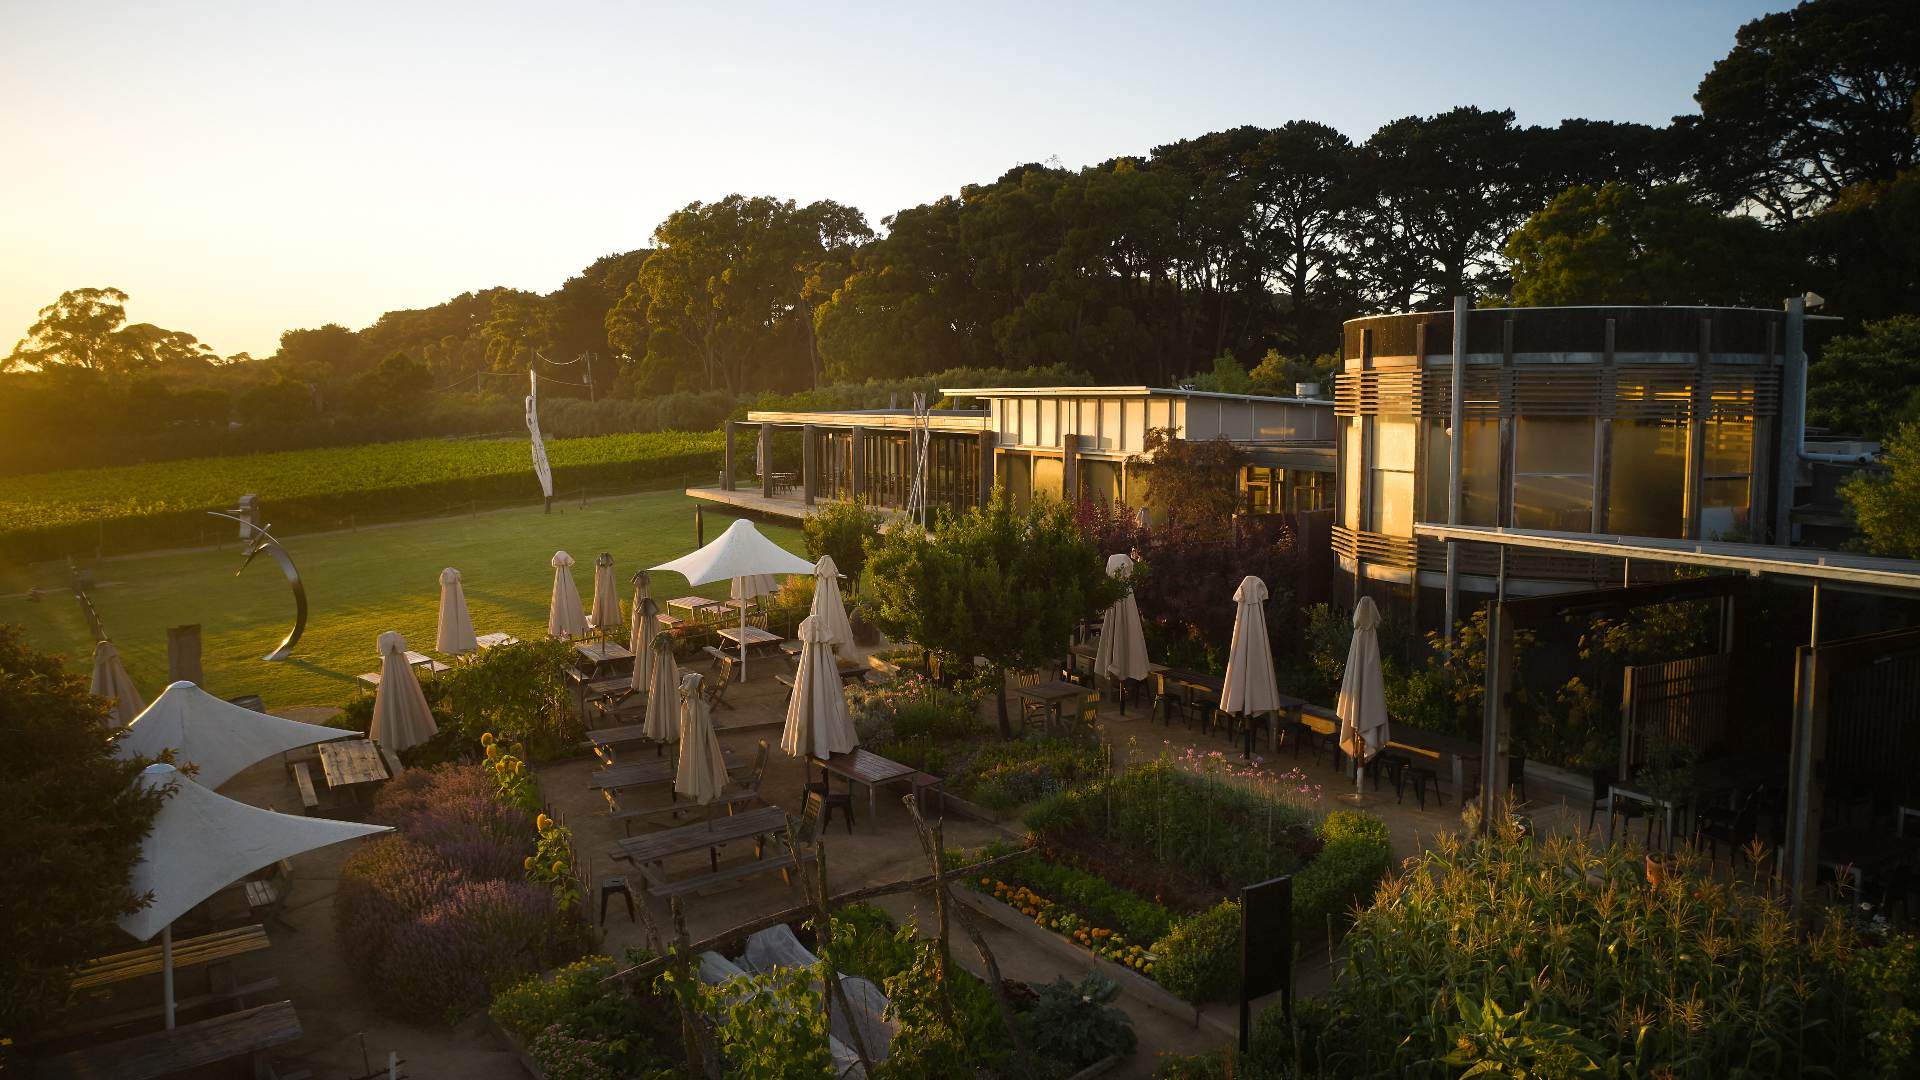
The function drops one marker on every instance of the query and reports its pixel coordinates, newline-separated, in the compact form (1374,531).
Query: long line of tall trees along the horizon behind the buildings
(1798,174)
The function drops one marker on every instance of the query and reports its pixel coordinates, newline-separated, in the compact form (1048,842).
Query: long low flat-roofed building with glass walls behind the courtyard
(1057,441)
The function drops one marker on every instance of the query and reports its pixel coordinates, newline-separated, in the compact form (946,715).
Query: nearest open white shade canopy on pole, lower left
(204,843)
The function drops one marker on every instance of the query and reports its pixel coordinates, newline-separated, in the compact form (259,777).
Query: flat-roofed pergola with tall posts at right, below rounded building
(1817,662)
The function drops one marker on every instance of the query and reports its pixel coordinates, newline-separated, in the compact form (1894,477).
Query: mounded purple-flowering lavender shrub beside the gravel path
(439,916)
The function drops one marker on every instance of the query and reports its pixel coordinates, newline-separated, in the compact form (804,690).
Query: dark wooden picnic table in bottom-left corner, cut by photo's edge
(180,1050)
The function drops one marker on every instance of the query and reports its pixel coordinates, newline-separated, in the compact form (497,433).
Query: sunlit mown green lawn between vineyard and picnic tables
(358,585)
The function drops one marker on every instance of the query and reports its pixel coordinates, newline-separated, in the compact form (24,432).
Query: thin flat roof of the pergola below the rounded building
(1806,564)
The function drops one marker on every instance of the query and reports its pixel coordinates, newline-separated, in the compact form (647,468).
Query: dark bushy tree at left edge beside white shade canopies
(74,825)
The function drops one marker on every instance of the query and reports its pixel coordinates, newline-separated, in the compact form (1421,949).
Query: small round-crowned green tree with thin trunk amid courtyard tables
(994,581)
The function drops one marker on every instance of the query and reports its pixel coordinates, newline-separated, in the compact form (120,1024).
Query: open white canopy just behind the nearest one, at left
(216,737)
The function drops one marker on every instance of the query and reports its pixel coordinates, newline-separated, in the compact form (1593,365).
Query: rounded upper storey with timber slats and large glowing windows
(1637,422)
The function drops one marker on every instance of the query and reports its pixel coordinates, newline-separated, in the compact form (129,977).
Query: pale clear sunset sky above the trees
(249,168)
